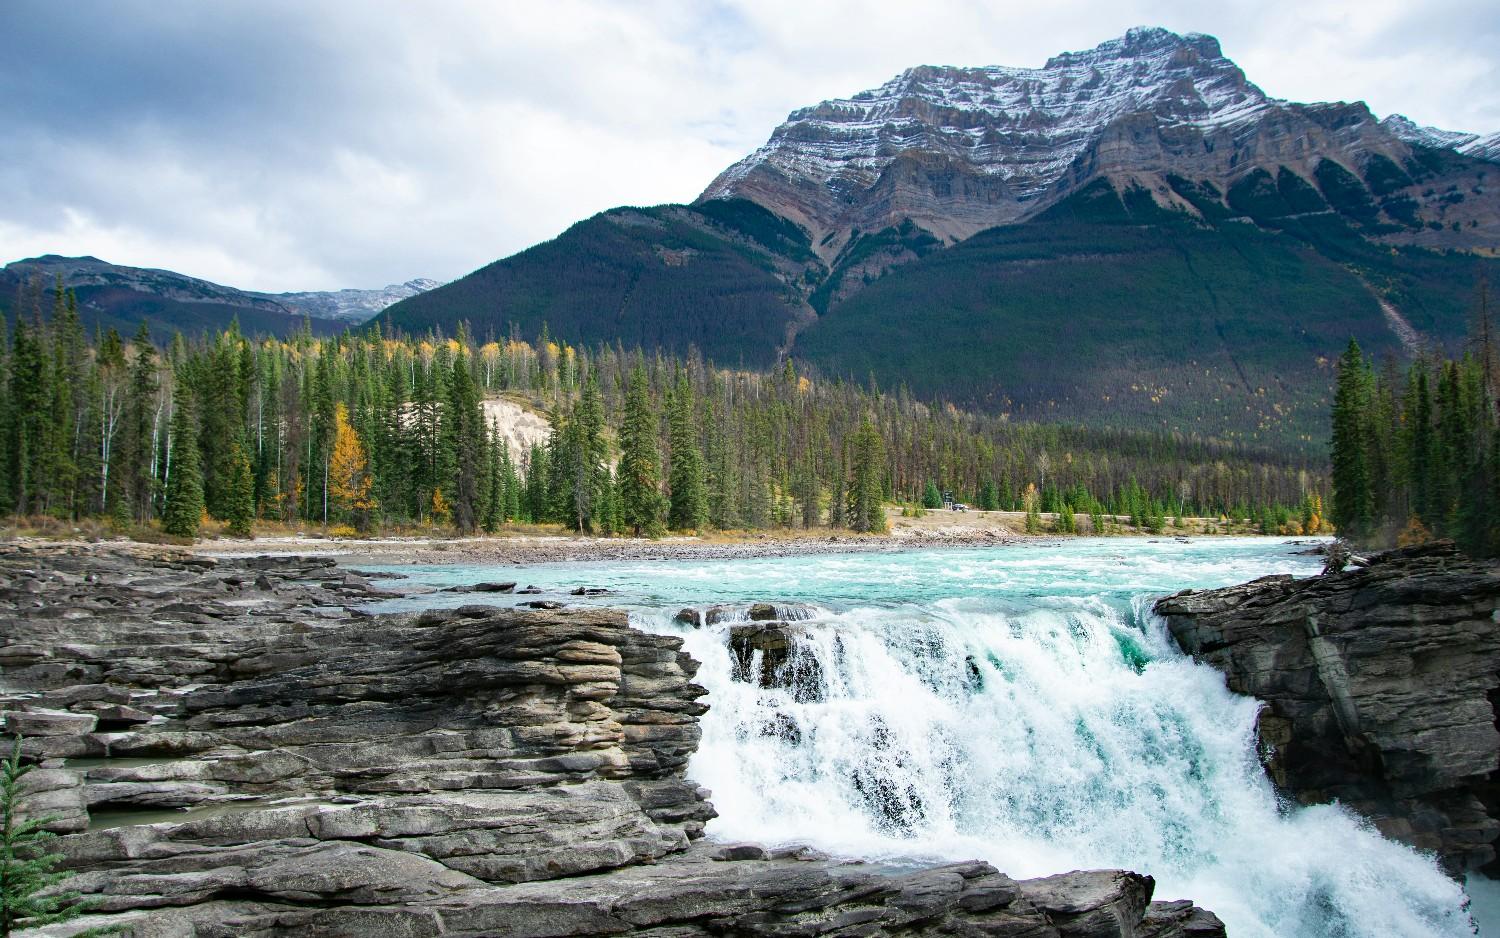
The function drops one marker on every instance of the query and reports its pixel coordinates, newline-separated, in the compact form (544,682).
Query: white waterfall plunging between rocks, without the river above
(1061,735)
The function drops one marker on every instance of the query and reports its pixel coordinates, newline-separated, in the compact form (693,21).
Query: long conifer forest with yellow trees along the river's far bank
(376,433)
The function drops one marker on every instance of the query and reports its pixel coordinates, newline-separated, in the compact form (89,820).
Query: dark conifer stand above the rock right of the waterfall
(1417,452)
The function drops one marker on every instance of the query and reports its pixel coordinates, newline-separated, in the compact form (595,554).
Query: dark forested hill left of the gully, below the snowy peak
(725,278)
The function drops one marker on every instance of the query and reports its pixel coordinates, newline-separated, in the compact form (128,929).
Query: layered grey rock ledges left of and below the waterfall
(236,750)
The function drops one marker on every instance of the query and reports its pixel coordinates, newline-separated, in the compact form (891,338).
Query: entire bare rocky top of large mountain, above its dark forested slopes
(962,149)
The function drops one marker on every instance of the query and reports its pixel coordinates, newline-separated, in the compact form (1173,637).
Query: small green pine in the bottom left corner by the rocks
(26,867)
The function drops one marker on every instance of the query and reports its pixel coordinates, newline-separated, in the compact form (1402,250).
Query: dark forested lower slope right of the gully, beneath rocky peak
(1115,311)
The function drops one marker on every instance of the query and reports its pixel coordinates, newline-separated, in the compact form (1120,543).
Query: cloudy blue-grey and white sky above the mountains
(302,145)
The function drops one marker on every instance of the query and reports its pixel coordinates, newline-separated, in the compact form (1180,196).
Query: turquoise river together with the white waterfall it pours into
(1019,706)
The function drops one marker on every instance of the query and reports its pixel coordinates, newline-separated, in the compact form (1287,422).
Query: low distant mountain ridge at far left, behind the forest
(122,298)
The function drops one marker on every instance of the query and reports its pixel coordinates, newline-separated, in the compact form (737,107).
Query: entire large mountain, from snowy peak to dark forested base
(1135,235)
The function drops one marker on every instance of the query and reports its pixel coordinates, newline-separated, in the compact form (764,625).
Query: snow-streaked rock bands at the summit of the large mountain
(1022,125)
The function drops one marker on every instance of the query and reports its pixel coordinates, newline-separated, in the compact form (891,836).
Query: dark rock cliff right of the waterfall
(1381,688)
